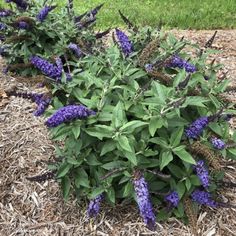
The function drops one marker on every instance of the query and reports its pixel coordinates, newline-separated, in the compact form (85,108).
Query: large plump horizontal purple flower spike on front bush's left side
(68,113)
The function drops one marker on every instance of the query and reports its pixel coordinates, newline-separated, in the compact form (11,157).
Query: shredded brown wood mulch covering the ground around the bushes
(30,208)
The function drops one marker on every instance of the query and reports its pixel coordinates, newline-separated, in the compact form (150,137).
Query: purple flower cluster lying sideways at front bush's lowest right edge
(203,198)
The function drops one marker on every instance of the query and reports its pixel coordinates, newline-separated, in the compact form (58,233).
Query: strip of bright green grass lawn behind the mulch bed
(183,14)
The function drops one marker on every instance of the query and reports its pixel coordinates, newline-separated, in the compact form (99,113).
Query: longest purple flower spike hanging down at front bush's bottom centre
(144,203)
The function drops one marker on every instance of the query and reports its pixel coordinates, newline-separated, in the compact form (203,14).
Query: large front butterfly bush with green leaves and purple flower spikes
(138,120)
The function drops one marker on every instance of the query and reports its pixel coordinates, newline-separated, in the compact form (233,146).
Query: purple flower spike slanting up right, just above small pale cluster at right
(196,128)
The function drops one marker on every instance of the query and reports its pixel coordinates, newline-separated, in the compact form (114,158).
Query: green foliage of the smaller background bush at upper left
(47,39)
